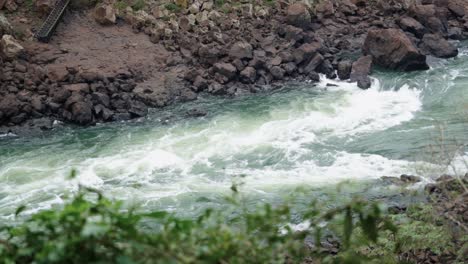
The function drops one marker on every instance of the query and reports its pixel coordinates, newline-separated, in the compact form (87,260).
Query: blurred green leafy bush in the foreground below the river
(103,231)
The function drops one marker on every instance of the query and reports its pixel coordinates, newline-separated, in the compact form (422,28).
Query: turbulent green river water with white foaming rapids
(302,135)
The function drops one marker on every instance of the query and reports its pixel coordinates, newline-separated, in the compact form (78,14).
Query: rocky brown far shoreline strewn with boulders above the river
(219,47)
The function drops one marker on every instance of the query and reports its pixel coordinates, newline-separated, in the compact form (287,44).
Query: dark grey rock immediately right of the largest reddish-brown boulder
(438,46)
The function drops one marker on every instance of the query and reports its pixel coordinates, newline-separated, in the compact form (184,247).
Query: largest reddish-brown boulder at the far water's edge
(392,49)
